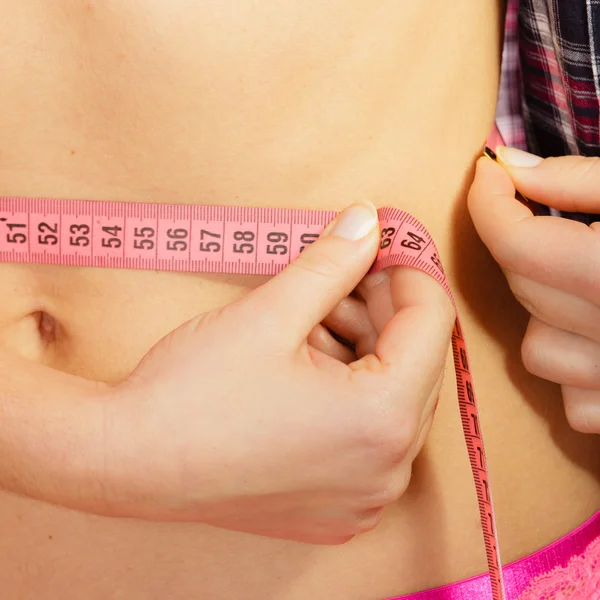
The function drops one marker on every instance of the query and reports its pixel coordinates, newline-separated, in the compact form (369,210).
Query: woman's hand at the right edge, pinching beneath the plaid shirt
(552,266)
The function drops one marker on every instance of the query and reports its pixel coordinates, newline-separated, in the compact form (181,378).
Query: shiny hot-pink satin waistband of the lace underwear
(518,575)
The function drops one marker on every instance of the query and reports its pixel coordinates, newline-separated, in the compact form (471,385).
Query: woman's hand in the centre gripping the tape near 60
(235,420)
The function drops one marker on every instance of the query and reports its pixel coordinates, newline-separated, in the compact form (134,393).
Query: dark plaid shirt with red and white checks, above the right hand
(549,99)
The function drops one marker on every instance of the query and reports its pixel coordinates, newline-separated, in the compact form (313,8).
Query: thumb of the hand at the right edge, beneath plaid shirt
(569,183)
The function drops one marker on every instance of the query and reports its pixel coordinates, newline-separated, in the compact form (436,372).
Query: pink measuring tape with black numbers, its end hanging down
(234,240)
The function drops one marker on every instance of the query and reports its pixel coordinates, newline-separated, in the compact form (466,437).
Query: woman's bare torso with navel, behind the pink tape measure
(306,104)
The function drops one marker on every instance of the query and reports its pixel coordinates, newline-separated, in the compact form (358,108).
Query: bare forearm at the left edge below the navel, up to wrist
(52,437)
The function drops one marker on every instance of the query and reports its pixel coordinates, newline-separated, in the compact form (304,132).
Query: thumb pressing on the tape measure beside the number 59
(306,291)
